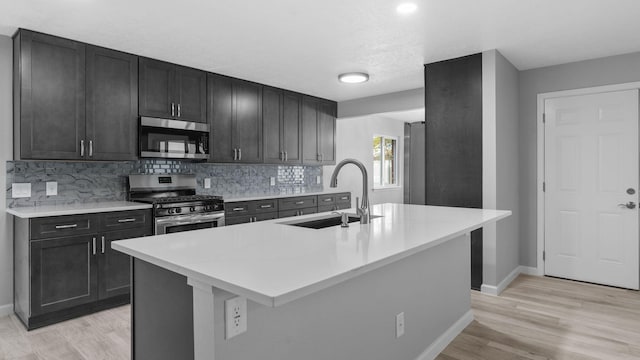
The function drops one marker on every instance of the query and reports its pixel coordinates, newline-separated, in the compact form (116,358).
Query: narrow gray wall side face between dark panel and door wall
(507,179)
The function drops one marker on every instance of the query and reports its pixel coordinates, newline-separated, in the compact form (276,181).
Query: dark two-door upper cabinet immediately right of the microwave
(235,118)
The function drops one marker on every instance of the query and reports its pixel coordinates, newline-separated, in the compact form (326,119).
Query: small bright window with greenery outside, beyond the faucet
(385,161)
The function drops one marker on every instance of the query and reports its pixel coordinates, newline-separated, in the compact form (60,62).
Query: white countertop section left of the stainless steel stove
(28,212)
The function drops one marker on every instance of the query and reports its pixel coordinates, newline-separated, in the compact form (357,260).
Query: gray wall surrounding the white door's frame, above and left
(589,73)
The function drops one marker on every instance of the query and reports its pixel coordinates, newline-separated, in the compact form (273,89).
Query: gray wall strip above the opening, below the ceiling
(398,101)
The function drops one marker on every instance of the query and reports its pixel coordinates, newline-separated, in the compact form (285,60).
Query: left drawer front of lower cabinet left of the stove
(62,226)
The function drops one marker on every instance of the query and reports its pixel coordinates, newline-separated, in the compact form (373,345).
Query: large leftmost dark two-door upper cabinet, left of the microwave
(73,101)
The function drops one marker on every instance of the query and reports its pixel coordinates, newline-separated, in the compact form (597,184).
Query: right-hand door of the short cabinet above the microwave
(191,95)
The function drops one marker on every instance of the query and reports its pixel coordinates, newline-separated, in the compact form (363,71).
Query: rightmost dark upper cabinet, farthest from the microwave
(318,131)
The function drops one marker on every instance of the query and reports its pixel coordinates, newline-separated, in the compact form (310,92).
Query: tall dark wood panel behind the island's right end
(453,141)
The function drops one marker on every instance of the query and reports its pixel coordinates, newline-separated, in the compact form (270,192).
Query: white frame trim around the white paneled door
(540,153)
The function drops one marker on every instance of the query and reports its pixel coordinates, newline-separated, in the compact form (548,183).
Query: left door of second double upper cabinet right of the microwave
(271,125)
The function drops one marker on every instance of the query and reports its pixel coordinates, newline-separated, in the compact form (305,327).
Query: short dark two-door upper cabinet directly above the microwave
(172,92)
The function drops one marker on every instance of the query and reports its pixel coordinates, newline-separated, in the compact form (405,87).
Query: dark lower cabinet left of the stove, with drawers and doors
(65,267)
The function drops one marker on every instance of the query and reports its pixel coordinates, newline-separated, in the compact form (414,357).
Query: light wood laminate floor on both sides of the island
(535,318)
